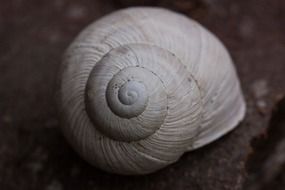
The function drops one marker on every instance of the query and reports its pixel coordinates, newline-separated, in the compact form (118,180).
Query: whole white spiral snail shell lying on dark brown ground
(142,86)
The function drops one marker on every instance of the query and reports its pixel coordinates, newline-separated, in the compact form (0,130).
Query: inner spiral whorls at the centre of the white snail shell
(133,94)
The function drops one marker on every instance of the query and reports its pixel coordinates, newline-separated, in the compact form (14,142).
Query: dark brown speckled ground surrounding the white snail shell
(33,153)
